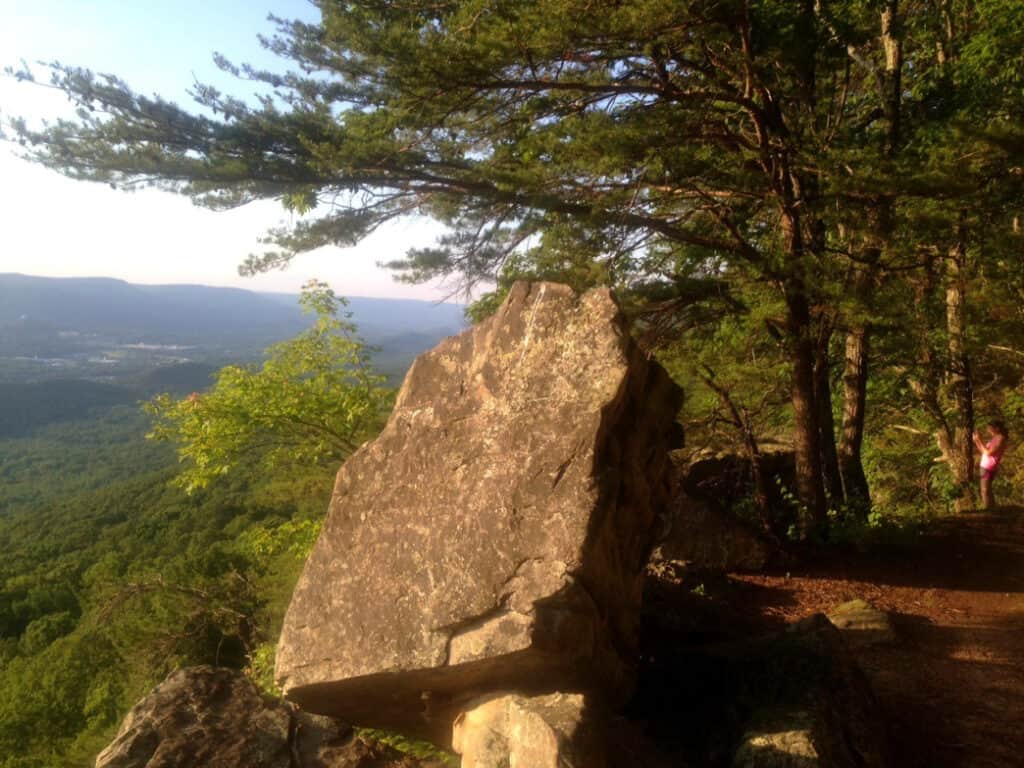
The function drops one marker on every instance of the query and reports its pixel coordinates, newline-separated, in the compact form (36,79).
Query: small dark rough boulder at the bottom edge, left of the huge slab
(212,717)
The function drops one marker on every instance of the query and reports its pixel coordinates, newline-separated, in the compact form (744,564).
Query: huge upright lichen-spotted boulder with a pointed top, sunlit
(495,535)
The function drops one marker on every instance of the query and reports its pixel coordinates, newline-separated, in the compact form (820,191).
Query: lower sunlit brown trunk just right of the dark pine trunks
(855,407)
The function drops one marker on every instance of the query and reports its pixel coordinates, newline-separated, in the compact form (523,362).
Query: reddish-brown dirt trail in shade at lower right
(953,685)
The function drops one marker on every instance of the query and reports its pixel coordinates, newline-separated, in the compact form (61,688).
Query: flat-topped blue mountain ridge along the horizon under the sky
(193,314)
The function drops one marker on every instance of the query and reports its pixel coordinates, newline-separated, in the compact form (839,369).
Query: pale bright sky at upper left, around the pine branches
(51,226)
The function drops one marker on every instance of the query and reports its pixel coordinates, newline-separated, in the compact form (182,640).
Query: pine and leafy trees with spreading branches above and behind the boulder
(820,199)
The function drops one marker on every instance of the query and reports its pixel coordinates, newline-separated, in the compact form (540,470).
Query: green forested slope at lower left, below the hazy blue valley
(112,578)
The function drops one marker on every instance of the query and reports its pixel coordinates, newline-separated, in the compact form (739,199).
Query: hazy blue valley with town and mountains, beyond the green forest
(92,333)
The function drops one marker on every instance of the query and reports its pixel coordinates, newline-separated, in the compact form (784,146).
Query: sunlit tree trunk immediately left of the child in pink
(961,449)
